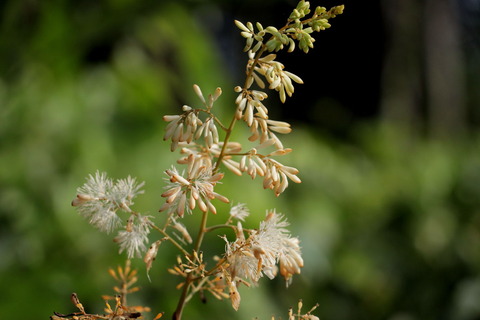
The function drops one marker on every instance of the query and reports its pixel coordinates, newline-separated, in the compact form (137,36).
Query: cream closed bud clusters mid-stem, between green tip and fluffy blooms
(202,159)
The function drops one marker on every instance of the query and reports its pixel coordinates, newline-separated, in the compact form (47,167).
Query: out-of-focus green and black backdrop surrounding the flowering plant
(386,135)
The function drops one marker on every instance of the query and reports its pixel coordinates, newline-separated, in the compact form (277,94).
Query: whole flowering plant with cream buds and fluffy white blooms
(206,148)
